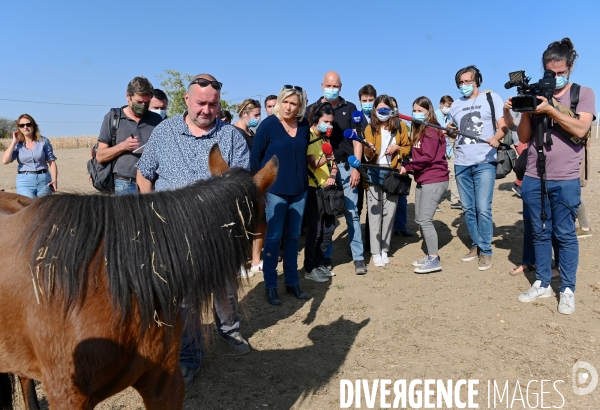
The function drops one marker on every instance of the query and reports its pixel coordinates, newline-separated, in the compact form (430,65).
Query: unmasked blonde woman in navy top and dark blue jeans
(284,134)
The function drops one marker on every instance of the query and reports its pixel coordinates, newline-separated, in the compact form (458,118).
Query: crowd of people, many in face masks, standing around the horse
(150,151)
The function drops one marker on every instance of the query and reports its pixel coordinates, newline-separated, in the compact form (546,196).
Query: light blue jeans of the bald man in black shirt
(351,212)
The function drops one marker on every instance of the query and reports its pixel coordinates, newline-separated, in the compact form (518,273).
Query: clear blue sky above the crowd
(86,52)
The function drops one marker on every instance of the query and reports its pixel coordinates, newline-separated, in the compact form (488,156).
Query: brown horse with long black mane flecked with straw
(91,285)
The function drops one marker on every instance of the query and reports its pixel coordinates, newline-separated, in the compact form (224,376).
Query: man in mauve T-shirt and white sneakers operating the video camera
(562,178)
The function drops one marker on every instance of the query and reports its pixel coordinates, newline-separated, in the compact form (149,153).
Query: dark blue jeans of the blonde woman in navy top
(282,210)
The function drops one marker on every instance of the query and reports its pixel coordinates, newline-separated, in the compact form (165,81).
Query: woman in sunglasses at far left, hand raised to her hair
(37,172)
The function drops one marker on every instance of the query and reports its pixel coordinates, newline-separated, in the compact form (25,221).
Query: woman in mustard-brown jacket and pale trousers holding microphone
(390,139)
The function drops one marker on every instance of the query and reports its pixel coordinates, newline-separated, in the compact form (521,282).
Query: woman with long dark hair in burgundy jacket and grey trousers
(430,169)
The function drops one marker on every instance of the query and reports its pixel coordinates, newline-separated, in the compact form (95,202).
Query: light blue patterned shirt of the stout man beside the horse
(174,157)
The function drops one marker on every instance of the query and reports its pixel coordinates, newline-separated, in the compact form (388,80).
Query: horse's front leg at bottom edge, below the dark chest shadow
(162,392)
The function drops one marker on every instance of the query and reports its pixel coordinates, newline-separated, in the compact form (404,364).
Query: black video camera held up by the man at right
(526,100)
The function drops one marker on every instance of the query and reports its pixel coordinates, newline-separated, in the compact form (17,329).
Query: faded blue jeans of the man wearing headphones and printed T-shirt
(476,190)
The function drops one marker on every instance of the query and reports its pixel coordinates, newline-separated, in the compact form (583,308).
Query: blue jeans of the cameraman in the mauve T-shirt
(561,204)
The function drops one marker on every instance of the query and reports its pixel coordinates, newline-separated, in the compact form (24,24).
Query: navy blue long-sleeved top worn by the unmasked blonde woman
(272,139)
